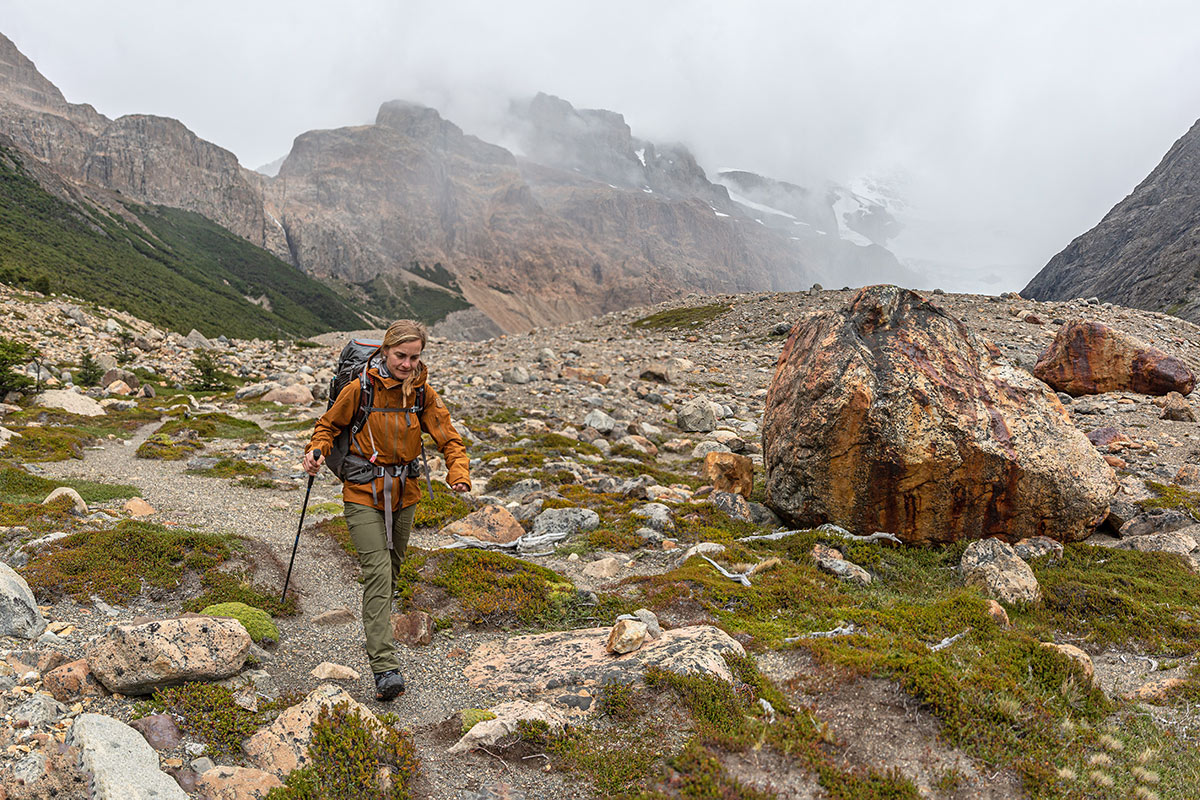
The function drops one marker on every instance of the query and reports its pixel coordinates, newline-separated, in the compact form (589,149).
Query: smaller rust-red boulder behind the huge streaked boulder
(1089,358)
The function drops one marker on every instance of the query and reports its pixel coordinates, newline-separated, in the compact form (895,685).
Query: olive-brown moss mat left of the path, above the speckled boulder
(118,563)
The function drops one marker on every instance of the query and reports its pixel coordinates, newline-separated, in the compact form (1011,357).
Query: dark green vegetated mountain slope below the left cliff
(178,269)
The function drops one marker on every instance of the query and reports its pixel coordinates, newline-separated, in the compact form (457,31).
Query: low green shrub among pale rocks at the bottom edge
(347,755)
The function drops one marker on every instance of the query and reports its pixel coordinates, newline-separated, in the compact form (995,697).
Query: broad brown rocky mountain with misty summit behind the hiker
(530,244)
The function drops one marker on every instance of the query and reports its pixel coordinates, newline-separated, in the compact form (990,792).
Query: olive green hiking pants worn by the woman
(381,568)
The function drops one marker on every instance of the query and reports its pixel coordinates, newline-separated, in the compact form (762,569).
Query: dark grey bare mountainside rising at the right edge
(1147,251)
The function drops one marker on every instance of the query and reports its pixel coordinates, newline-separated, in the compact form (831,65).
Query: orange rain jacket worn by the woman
(395,437)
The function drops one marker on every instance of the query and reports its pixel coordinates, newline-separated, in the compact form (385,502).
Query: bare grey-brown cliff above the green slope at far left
(149,159)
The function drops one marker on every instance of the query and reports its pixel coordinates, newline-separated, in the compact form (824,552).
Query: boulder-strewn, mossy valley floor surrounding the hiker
(623,606)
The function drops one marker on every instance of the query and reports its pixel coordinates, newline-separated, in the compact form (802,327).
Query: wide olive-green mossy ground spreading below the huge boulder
(1000,695)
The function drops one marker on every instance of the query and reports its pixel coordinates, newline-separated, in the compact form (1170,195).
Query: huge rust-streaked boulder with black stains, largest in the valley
(890,416)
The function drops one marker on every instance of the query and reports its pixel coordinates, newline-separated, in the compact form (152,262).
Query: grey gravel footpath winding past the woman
(325,579)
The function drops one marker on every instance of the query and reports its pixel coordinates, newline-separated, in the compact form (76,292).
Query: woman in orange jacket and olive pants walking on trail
(385,454)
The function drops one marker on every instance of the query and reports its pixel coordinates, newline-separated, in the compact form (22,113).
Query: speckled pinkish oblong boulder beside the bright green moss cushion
(141,659)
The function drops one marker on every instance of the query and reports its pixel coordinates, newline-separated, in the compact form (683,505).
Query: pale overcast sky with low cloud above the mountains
(1012,127)
